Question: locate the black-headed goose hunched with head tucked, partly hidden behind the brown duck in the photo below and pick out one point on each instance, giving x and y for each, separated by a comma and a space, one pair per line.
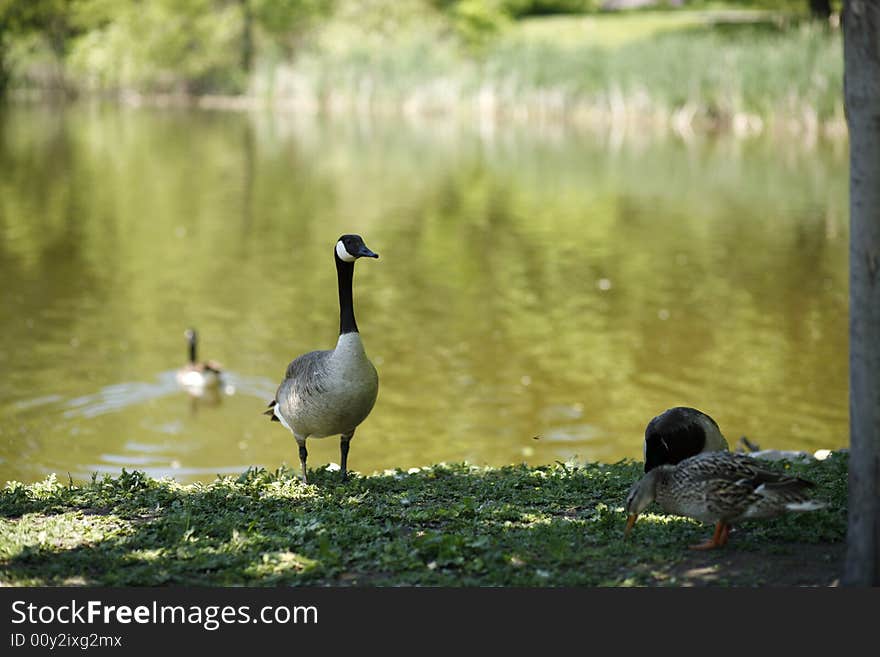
678, 433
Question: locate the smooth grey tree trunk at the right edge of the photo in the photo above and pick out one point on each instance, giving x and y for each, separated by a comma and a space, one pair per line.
862, 98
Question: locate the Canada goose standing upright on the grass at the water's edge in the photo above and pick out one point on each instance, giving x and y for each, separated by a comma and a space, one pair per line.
330, 392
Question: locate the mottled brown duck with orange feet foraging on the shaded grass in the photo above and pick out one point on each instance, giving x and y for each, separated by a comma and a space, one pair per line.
719, 487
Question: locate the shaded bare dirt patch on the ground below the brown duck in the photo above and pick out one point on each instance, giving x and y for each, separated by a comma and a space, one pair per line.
799, 564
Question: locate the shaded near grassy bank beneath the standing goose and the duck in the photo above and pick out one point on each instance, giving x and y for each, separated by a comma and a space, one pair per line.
452, 525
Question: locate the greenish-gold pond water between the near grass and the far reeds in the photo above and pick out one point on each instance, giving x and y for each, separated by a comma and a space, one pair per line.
541, 294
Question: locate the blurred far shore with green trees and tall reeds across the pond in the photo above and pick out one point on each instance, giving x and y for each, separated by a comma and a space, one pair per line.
715, 60
